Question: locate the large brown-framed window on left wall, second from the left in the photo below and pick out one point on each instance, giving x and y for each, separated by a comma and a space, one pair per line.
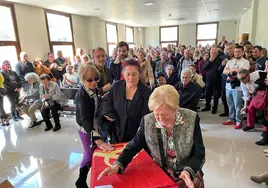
60, 33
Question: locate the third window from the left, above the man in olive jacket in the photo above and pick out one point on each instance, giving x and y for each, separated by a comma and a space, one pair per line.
111, 35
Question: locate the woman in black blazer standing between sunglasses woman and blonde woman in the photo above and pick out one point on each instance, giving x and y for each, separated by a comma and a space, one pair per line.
127, 102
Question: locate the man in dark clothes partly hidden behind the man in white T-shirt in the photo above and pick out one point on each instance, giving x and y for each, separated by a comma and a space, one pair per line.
229, 54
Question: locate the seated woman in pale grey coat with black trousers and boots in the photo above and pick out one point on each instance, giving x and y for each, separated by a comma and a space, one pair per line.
50, 92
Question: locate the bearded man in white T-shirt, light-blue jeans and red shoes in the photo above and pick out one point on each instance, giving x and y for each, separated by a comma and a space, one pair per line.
233, 90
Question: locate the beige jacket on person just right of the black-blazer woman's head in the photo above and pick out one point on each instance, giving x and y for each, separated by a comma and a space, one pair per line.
147, 75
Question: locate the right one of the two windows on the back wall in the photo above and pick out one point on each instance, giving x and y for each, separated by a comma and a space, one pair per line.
207, 33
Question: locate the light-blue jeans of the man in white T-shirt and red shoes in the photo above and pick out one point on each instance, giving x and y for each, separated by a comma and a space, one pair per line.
235, 103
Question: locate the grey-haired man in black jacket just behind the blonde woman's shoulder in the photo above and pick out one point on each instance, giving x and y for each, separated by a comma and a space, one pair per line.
188, 91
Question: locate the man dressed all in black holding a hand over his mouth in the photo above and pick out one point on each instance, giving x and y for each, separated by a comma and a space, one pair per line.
213, 80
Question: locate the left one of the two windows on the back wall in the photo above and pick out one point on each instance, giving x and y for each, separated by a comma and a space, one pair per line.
168, 35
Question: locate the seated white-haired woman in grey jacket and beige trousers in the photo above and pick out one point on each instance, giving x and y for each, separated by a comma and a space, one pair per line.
31, 102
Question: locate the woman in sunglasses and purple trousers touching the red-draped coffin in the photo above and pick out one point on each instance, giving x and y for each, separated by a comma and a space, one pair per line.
86, 101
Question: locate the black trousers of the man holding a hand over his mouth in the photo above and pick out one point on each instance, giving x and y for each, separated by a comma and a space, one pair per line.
213, 89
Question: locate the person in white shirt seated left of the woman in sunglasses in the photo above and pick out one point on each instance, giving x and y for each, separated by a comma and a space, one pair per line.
70, 79
